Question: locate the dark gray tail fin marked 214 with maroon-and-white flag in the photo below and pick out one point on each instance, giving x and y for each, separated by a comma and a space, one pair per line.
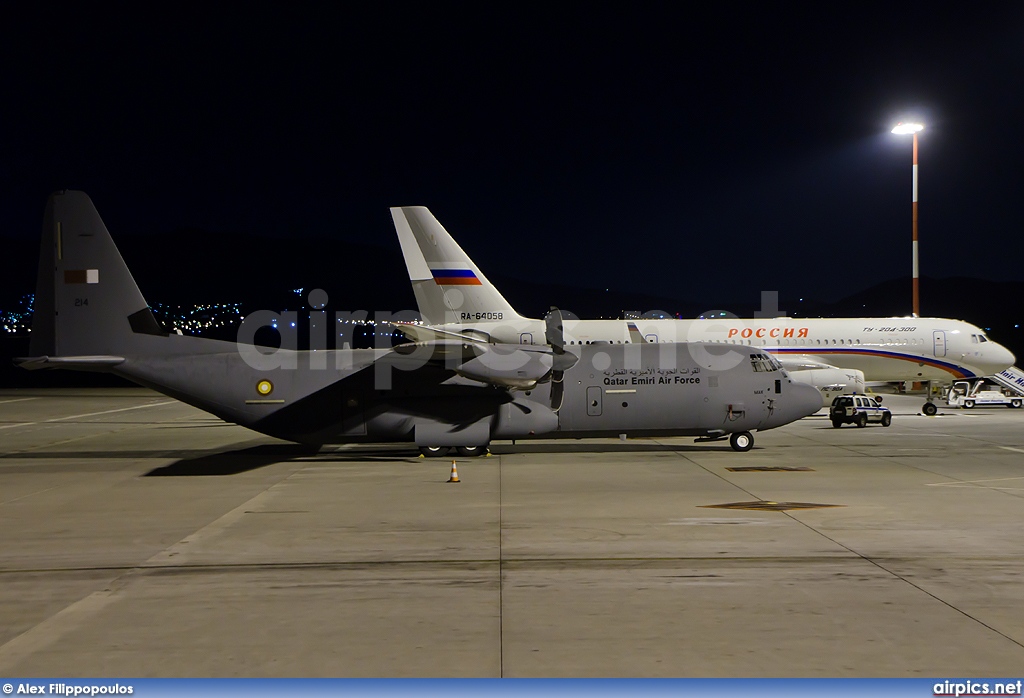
87, 301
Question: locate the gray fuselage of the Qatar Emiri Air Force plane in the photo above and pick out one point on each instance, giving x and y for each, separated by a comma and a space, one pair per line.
379, 396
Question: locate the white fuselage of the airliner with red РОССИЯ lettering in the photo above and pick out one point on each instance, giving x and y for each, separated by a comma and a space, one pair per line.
884, 350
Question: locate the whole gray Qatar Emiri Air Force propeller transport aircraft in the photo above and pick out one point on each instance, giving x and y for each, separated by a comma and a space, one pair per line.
91, 316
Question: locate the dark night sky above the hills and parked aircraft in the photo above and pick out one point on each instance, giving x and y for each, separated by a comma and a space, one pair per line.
693, 154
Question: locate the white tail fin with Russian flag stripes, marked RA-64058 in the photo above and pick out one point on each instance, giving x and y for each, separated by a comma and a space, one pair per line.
448, 285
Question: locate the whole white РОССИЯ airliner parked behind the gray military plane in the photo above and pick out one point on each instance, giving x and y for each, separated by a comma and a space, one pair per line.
835, 356
